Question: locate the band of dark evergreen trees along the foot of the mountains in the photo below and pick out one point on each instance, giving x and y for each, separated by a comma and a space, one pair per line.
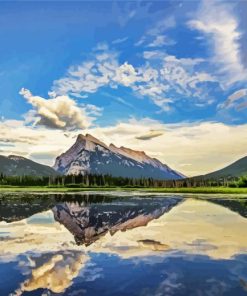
92, 180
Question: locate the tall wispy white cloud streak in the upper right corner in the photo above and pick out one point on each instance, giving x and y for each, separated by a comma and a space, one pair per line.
216, 20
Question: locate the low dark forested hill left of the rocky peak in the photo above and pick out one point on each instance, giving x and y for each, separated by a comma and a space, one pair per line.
13, 165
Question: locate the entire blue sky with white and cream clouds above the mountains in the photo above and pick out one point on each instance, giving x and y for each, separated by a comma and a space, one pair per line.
166, 77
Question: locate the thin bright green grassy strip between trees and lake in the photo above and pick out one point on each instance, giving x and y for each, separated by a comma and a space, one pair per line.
203, 190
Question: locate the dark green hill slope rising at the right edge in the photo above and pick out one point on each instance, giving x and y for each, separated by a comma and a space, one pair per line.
236, 169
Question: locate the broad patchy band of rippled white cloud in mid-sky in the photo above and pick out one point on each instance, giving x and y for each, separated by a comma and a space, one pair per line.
159, 74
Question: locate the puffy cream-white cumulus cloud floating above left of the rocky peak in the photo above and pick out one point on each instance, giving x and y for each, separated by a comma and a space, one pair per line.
58, 112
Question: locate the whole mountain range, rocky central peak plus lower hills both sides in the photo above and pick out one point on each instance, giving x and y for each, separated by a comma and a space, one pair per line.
90, 155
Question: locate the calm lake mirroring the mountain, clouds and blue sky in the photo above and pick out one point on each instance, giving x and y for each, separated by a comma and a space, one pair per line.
122, 245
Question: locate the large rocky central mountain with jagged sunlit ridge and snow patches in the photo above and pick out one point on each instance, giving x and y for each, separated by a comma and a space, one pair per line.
90, 155
